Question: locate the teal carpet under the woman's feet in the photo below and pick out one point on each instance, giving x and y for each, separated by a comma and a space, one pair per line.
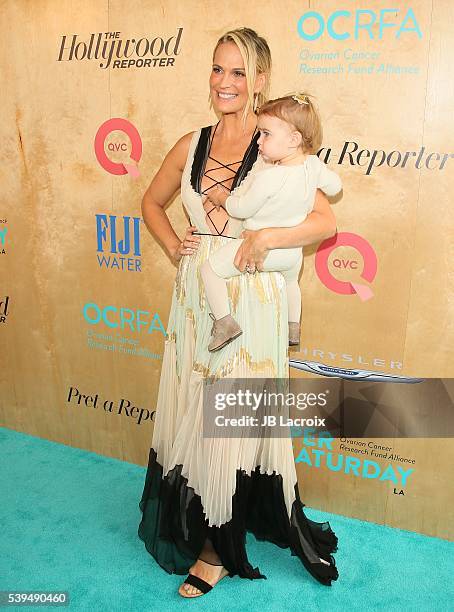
69, 522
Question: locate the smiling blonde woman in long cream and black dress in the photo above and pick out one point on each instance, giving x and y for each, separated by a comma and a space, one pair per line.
202, 494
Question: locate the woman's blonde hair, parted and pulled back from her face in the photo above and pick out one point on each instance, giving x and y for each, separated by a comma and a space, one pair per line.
256, 56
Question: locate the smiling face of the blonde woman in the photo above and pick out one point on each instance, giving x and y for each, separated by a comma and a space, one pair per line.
228, 87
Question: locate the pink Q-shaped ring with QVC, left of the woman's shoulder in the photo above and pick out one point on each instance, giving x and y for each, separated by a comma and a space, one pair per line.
136, 147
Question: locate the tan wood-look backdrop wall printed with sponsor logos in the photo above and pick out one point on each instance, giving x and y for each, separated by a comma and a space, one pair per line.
95, 94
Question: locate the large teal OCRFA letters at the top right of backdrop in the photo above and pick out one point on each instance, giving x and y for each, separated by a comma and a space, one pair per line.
342, 25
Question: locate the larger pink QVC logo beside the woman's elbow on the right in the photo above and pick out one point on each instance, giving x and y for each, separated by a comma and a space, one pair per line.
331, 270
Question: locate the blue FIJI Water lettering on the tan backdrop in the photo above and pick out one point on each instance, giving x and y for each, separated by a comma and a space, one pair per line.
120, 238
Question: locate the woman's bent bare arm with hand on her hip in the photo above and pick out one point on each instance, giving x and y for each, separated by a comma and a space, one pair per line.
165, 184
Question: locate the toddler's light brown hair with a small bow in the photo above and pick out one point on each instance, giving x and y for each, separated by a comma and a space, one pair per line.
298, 110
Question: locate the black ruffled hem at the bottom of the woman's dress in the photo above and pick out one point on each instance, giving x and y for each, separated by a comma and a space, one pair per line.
174, 527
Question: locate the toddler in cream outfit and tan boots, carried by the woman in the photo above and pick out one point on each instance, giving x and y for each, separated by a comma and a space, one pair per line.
280, 195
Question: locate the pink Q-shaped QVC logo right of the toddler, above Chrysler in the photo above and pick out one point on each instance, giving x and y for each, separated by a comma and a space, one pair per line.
369, 266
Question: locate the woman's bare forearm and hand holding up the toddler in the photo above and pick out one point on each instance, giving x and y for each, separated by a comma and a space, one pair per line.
318, 225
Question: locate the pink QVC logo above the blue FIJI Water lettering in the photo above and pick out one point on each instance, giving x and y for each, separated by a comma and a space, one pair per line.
122, 141
